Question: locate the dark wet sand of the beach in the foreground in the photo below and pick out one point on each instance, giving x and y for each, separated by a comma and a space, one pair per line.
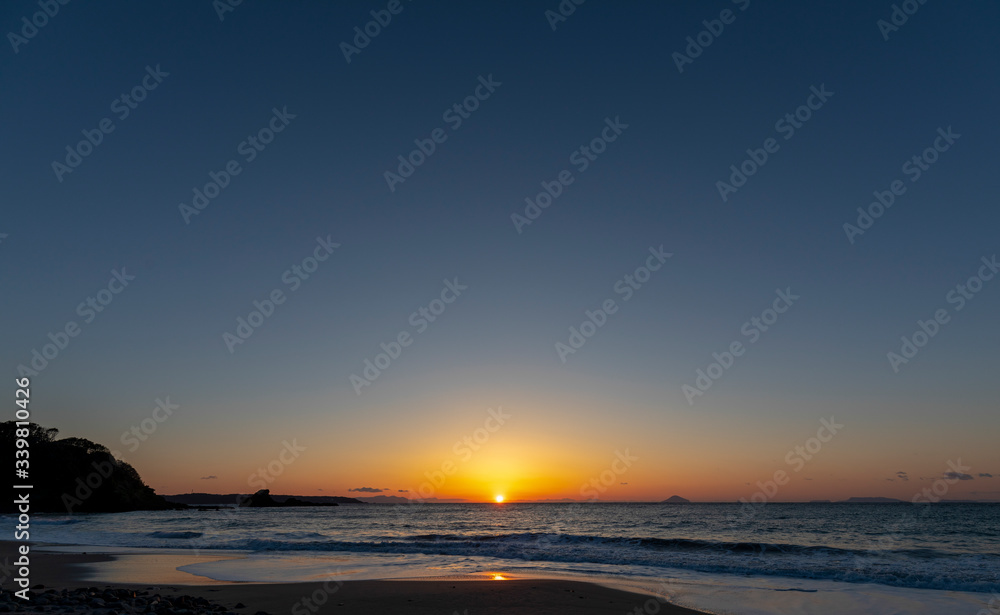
440, 597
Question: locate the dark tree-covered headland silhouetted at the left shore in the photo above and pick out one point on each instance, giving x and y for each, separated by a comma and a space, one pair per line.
75, 475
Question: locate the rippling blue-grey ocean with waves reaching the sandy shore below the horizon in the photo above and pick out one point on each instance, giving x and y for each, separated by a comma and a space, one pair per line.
941, 557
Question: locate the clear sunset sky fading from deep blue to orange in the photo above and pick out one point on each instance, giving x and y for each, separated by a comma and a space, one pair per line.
666, 324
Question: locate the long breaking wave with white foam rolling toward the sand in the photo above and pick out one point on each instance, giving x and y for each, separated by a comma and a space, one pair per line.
912, 568
